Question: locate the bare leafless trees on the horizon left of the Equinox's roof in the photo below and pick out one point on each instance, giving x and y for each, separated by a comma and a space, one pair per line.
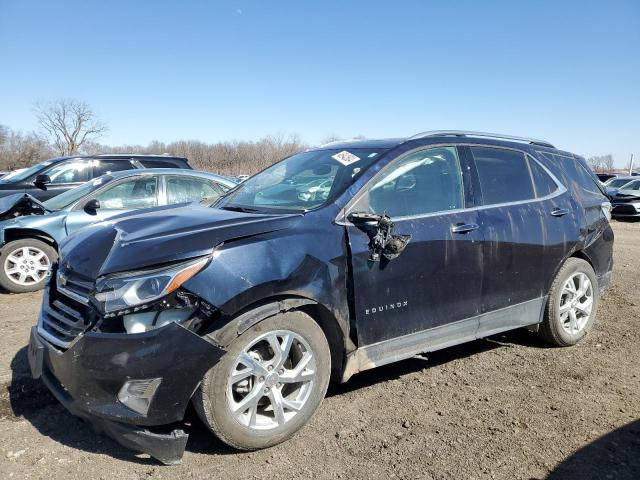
69, 127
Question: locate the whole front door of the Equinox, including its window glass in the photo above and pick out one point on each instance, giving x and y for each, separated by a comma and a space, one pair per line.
437, 279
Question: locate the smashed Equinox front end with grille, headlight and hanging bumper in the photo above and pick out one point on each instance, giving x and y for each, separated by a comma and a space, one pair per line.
125, 355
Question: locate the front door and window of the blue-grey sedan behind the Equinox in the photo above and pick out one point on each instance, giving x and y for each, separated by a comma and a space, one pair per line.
126, 195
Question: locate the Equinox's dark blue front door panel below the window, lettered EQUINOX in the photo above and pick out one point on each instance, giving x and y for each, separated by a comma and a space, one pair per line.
435, 280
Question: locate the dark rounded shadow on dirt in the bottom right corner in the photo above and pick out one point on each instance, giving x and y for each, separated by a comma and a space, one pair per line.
614, 455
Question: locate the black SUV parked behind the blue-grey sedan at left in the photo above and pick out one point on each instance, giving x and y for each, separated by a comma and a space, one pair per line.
57, 175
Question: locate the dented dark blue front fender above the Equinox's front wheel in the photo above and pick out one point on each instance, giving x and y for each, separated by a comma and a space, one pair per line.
305, 263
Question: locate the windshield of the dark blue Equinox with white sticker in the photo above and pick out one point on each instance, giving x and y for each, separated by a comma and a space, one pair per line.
303, 182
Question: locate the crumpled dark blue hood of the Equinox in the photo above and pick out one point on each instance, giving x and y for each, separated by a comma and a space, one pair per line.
162, 235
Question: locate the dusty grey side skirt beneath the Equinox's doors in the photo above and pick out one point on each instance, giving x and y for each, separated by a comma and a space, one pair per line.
407, 346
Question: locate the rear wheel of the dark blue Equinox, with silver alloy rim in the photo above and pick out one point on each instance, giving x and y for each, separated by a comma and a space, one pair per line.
557, 327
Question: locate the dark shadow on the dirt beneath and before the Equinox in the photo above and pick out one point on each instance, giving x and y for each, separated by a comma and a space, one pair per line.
30, 399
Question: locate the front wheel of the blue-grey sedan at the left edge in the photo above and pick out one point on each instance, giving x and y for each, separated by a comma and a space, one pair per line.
38, 257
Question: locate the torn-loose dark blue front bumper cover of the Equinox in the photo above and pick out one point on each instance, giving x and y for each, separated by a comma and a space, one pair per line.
87, 377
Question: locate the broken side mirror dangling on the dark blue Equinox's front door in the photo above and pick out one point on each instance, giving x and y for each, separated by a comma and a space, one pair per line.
383, 242
